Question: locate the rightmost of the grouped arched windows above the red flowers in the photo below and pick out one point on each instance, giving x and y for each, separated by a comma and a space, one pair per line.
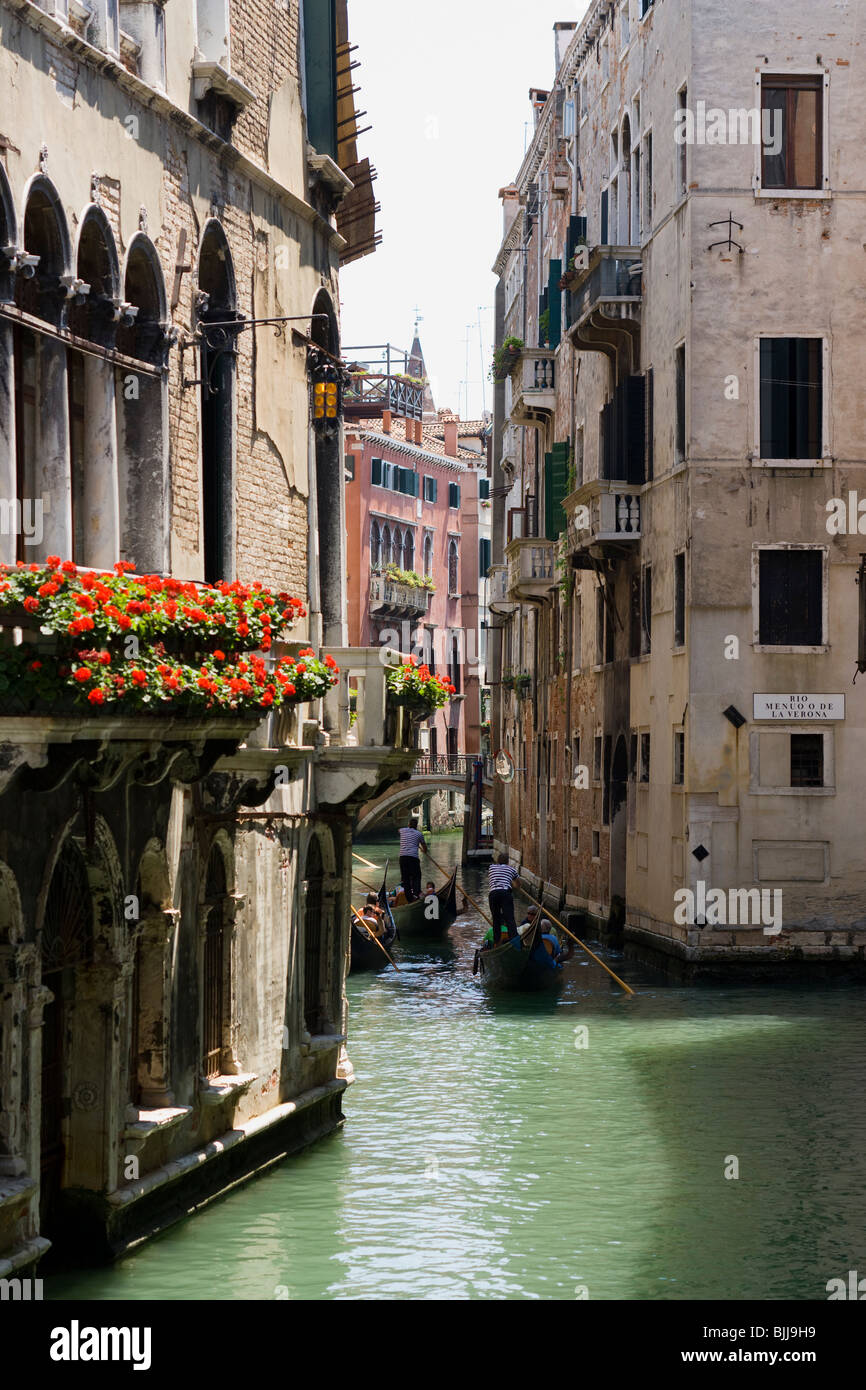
142, 414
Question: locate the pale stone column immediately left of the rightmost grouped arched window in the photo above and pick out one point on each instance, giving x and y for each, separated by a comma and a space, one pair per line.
101, 490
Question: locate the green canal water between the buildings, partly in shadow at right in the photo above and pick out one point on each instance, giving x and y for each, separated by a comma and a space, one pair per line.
487, 1156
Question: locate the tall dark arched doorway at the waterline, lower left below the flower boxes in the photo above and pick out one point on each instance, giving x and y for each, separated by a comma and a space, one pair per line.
67, 946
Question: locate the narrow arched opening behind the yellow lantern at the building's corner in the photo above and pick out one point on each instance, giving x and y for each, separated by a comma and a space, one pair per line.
330, 505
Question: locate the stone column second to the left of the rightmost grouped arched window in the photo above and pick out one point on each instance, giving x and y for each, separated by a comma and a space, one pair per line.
52, 479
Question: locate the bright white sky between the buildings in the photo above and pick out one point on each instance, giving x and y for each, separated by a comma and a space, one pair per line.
447, 94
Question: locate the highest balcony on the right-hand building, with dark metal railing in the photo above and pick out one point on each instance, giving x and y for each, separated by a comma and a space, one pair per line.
605, 304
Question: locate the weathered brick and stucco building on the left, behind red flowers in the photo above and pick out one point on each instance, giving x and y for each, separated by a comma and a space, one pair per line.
174, 893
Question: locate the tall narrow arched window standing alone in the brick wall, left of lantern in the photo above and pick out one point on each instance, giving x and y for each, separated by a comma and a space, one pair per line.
218, 301
